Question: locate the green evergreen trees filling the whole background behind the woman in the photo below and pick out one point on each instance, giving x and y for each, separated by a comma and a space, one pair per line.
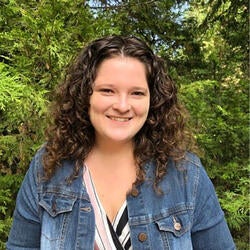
204, 43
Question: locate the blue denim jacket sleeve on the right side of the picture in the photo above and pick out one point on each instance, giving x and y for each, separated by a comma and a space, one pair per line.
210, 230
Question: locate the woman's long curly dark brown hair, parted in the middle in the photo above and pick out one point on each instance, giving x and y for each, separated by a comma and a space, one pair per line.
71, 134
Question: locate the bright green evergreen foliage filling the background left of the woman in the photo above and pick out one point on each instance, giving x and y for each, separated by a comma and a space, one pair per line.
37, 40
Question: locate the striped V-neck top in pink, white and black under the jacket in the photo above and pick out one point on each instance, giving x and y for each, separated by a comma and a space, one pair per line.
108, 235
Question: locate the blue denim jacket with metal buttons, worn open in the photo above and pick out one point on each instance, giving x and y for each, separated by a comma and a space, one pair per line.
55, 215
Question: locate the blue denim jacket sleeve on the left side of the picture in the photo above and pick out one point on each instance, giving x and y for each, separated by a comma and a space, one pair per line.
25, 231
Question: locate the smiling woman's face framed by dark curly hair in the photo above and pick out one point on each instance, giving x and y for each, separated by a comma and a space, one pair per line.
120, 101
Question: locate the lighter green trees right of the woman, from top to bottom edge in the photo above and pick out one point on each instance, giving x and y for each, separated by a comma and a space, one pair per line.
218, 100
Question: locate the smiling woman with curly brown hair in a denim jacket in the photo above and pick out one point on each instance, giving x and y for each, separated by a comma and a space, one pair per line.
114, 173
